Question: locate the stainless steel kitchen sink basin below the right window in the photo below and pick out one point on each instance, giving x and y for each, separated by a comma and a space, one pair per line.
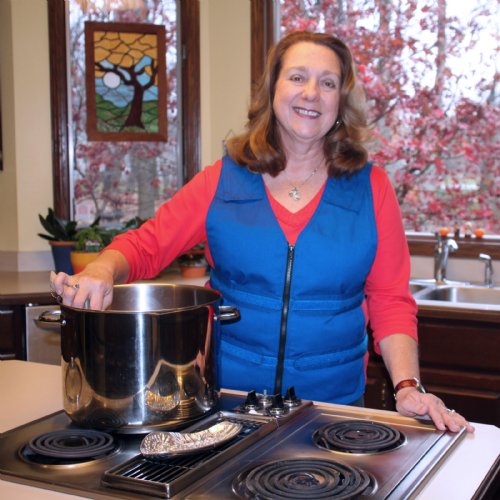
462, 294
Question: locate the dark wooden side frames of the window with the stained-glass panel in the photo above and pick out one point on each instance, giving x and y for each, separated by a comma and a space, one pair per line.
189, 58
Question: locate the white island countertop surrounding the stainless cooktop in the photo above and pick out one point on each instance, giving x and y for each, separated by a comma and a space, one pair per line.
31, 390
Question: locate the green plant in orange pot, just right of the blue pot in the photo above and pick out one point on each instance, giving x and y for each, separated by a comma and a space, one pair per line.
89, 241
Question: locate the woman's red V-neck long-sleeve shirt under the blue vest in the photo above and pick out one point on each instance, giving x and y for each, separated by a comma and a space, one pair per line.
180, 224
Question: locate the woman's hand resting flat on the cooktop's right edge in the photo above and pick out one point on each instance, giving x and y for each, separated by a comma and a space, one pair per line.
413, 403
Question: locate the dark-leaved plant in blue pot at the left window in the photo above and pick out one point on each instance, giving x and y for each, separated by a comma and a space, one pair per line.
61, 236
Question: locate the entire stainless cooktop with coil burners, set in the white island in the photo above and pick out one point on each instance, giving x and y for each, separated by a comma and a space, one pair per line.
293, 452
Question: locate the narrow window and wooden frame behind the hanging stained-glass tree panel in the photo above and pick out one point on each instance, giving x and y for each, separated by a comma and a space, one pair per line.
118, 180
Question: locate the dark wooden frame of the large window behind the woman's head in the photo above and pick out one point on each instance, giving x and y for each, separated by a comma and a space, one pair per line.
262, 29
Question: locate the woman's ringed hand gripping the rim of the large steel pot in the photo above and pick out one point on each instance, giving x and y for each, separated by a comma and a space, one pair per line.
93, 287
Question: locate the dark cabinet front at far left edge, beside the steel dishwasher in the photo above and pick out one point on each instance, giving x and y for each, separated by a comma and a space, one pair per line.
11, 332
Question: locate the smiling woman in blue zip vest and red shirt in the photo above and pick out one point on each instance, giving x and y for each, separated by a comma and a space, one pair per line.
303, 235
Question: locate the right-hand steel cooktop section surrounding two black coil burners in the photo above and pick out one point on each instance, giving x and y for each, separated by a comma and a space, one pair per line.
399, 473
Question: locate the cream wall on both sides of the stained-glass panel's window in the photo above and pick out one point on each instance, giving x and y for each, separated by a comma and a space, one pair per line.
26, 181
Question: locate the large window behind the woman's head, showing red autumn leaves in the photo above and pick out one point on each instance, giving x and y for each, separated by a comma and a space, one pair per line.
435, 117
